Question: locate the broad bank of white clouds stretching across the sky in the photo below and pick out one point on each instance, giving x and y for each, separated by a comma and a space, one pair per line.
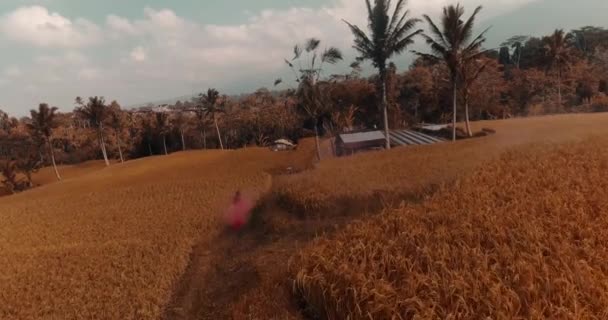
162, 54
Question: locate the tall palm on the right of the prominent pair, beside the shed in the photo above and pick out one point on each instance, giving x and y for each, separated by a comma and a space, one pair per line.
453, 45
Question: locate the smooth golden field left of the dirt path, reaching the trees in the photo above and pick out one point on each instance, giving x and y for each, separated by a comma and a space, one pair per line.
112, 243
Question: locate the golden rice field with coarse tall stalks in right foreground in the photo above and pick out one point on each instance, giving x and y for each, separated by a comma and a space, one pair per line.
525, 237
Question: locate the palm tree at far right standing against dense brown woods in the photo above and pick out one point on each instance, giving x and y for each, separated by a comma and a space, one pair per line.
559, 57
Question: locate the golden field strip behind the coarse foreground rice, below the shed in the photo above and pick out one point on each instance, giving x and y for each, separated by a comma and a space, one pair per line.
410, 172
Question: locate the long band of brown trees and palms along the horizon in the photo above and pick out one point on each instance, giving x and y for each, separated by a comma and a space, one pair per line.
455, 79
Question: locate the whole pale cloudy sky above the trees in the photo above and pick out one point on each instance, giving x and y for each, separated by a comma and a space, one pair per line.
140, 51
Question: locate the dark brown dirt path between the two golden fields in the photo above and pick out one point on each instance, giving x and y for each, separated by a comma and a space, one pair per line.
223, 277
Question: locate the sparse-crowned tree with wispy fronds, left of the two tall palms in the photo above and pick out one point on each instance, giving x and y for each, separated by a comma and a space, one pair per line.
311, 93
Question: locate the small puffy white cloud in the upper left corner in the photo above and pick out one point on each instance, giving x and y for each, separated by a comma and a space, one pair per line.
35, 25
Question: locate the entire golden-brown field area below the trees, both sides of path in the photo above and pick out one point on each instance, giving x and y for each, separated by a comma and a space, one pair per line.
115, 243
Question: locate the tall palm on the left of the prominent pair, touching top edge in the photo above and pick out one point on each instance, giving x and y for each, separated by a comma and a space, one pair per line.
390, 35
